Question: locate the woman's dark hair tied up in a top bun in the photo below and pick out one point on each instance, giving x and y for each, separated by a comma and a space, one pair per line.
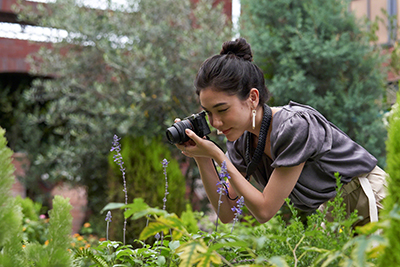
232, 72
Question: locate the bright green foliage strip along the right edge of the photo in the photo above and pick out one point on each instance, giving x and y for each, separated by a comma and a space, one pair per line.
391, 257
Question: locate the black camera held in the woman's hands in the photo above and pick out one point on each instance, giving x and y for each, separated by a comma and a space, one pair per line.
196, 122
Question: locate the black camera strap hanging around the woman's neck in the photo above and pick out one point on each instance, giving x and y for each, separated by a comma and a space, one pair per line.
255, 160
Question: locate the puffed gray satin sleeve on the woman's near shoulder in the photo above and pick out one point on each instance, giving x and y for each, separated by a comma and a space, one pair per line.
299, 137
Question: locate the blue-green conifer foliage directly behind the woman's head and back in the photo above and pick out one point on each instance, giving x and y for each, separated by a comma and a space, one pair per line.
314, 52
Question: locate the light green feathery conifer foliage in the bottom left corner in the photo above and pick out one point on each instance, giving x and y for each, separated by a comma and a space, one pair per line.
14, 250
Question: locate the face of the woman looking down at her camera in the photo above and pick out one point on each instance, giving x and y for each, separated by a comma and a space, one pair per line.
226, 113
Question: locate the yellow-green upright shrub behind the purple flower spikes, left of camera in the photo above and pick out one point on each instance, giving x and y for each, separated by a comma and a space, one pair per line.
143, 158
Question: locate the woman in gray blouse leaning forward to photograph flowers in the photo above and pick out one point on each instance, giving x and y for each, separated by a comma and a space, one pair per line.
292, 151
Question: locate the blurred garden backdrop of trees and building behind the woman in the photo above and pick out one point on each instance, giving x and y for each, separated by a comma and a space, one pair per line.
75, 73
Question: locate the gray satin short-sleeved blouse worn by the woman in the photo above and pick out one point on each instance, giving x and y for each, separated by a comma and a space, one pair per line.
301, 134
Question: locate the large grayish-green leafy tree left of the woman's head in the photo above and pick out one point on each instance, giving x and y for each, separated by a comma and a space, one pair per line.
117, 70
